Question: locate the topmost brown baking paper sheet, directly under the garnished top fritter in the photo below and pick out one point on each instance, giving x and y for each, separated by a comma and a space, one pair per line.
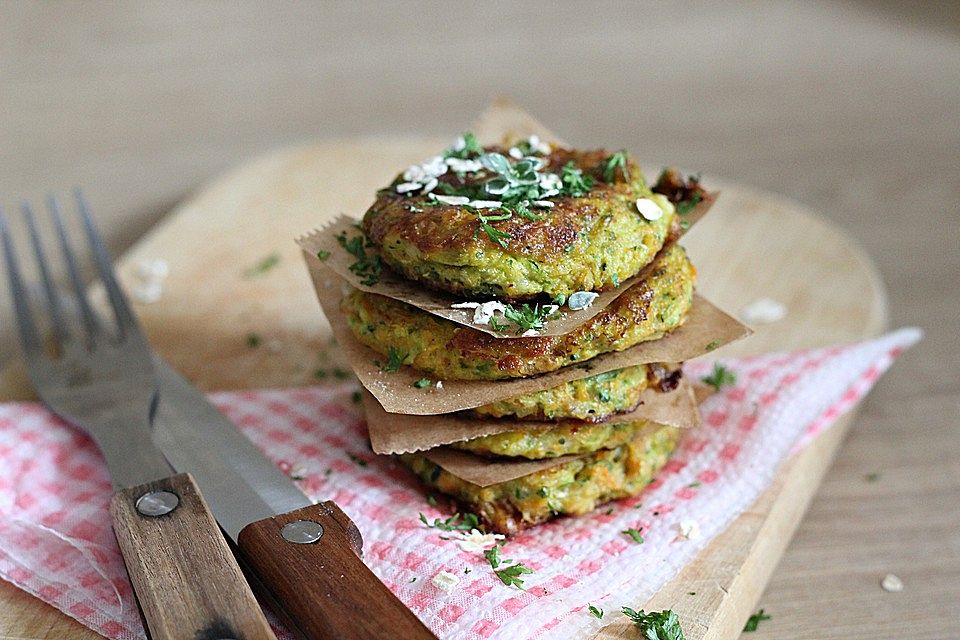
393, 285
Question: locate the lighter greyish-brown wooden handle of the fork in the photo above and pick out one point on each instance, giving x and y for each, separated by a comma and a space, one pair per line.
186, 579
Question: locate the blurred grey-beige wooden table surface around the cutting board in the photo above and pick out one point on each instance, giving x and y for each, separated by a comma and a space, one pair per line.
849, 107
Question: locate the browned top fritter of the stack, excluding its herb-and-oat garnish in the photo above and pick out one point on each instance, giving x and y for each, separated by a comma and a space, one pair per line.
588, 243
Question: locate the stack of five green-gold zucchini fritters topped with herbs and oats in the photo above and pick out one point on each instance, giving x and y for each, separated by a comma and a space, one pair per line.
535, 228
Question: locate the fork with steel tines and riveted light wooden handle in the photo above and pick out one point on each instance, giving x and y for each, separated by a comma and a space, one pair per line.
101, 379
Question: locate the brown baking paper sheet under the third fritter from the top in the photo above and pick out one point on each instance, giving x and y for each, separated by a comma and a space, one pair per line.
392, 433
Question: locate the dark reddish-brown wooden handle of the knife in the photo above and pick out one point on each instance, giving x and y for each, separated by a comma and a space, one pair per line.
323, 586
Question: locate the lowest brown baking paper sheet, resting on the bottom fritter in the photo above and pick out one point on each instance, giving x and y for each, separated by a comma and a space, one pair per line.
484, 472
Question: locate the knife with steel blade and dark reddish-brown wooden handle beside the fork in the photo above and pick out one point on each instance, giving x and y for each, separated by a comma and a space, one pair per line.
306, 557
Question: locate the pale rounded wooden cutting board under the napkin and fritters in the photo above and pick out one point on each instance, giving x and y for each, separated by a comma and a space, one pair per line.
752, 245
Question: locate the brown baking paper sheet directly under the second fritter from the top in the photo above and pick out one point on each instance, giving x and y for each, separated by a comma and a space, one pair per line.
706, 328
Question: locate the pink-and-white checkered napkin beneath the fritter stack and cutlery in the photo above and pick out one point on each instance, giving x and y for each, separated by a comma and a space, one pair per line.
56, 541
